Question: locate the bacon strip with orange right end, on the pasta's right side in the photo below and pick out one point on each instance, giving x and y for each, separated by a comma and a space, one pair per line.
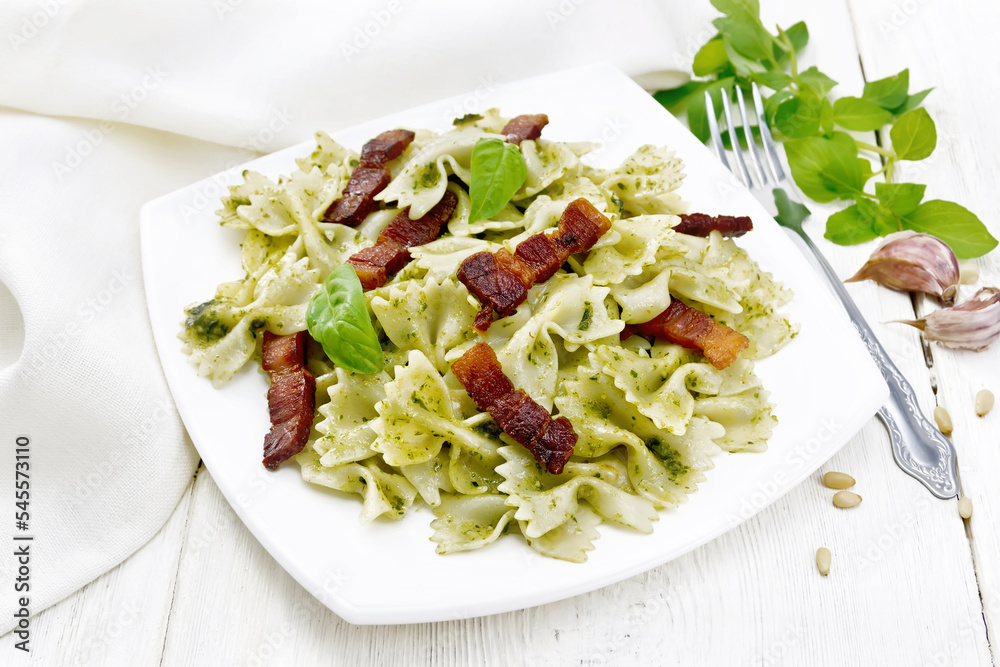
683, 325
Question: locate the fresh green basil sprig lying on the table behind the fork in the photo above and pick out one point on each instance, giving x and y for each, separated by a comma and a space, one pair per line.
823, 159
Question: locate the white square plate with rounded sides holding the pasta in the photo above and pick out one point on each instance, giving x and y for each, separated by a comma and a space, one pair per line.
824, 384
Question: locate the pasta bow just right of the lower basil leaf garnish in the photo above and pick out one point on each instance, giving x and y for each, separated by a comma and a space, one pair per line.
426, 316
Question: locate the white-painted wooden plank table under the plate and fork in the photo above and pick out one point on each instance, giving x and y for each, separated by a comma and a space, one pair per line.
912, 584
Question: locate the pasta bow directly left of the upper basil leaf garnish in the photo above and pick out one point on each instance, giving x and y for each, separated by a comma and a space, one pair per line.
422, 182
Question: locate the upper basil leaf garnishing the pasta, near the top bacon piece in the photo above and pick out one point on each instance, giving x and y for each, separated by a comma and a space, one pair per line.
498, 171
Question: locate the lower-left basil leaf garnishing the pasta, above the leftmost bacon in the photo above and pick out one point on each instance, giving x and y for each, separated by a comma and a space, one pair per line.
338, 318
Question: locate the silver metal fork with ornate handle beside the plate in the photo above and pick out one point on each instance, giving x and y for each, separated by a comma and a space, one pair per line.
917, 446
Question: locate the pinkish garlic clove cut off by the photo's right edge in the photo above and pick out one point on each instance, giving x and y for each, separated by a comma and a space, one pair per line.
972, 325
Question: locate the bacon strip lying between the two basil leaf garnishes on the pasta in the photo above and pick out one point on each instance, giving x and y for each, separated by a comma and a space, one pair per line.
375, 265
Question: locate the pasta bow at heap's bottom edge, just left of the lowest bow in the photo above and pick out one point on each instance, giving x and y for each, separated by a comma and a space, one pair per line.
469, 522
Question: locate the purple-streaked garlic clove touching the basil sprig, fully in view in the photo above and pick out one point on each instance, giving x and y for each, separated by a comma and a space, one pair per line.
913, 262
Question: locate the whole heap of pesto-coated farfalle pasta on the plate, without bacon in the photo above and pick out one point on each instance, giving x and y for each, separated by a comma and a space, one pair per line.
649, 415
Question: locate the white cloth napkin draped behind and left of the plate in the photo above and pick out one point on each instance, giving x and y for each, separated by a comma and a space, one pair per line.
79, 375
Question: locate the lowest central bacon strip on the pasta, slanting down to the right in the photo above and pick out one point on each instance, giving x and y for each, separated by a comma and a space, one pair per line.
549, 440
